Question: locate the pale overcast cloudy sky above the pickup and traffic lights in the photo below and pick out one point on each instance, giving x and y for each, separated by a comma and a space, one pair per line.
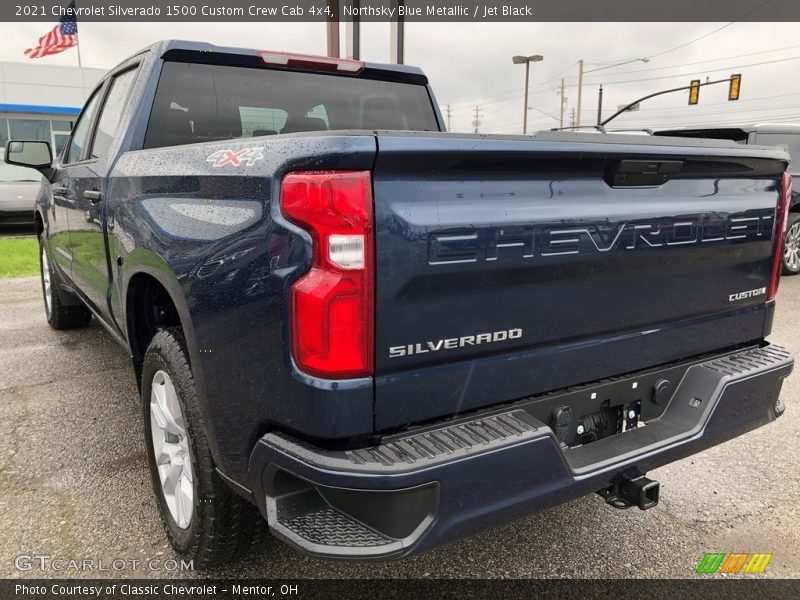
470, 64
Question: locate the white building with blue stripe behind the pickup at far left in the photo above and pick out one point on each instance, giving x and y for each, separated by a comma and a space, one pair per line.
41, 102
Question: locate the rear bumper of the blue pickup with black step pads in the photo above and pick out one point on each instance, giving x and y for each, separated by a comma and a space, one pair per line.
422, 487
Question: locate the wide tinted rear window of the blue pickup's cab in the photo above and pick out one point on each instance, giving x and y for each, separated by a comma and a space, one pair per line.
203, 102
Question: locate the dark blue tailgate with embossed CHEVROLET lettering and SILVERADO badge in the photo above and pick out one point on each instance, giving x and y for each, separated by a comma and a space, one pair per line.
507, 267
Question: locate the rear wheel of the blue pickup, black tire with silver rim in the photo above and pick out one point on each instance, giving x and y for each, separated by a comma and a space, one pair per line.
205, 521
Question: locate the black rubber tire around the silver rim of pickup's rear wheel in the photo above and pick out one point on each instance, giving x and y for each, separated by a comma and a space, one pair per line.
223, 525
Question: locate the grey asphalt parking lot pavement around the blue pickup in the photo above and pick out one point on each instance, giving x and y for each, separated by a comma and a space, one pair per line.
75, 484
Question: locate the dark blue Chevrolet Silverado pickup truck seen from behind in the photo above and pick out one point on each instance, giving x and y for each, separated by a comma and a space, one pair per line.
374, 337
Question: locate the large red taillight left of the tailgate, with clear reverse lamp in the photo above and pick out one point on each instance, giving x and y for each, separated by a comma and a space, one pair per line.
332, 313
